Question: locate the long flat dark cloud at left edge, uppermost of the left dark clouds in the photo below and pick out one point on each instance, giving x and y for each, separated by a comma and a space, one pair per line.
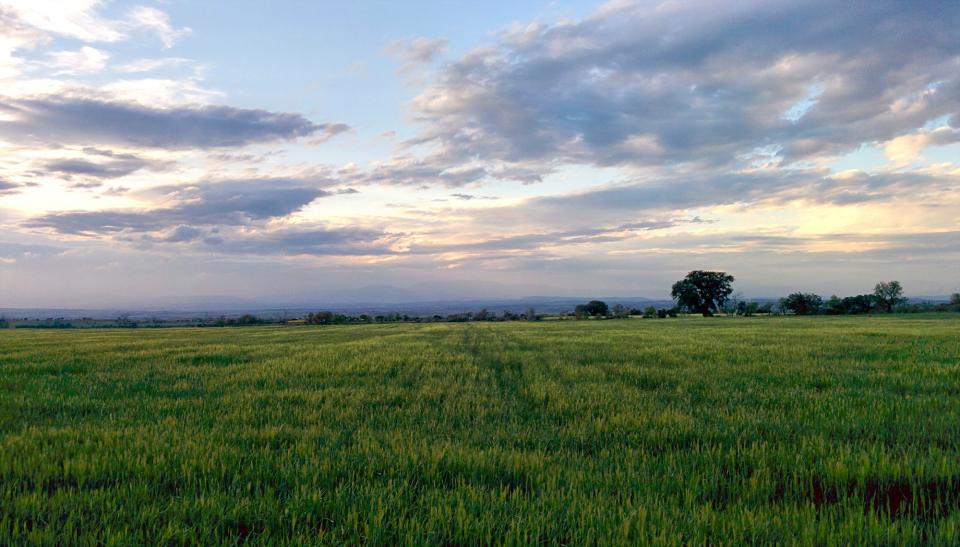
100, 121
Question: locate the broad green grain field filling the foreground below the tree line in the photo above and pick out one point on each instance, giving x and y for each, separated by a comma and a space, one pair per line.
750, 430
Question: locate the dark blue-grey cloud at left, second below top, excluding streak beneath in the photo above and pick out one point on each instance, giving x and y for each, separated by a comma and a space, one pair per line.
229, 203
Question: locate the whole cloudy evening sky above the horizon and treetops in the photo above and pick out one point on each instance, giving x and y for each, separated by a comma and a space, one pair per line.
310, 150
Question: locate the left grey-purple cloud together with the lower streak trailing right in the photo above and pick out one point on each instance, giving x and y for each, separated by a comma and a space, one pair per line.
226, 217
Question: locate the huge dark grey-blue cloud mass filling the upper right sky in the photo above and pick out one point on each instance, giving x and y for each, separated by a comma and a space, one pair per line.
702, 82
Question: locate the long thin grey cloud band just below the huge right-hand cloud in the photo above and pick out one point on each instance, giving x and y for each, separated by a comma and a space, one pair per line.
678, 195
